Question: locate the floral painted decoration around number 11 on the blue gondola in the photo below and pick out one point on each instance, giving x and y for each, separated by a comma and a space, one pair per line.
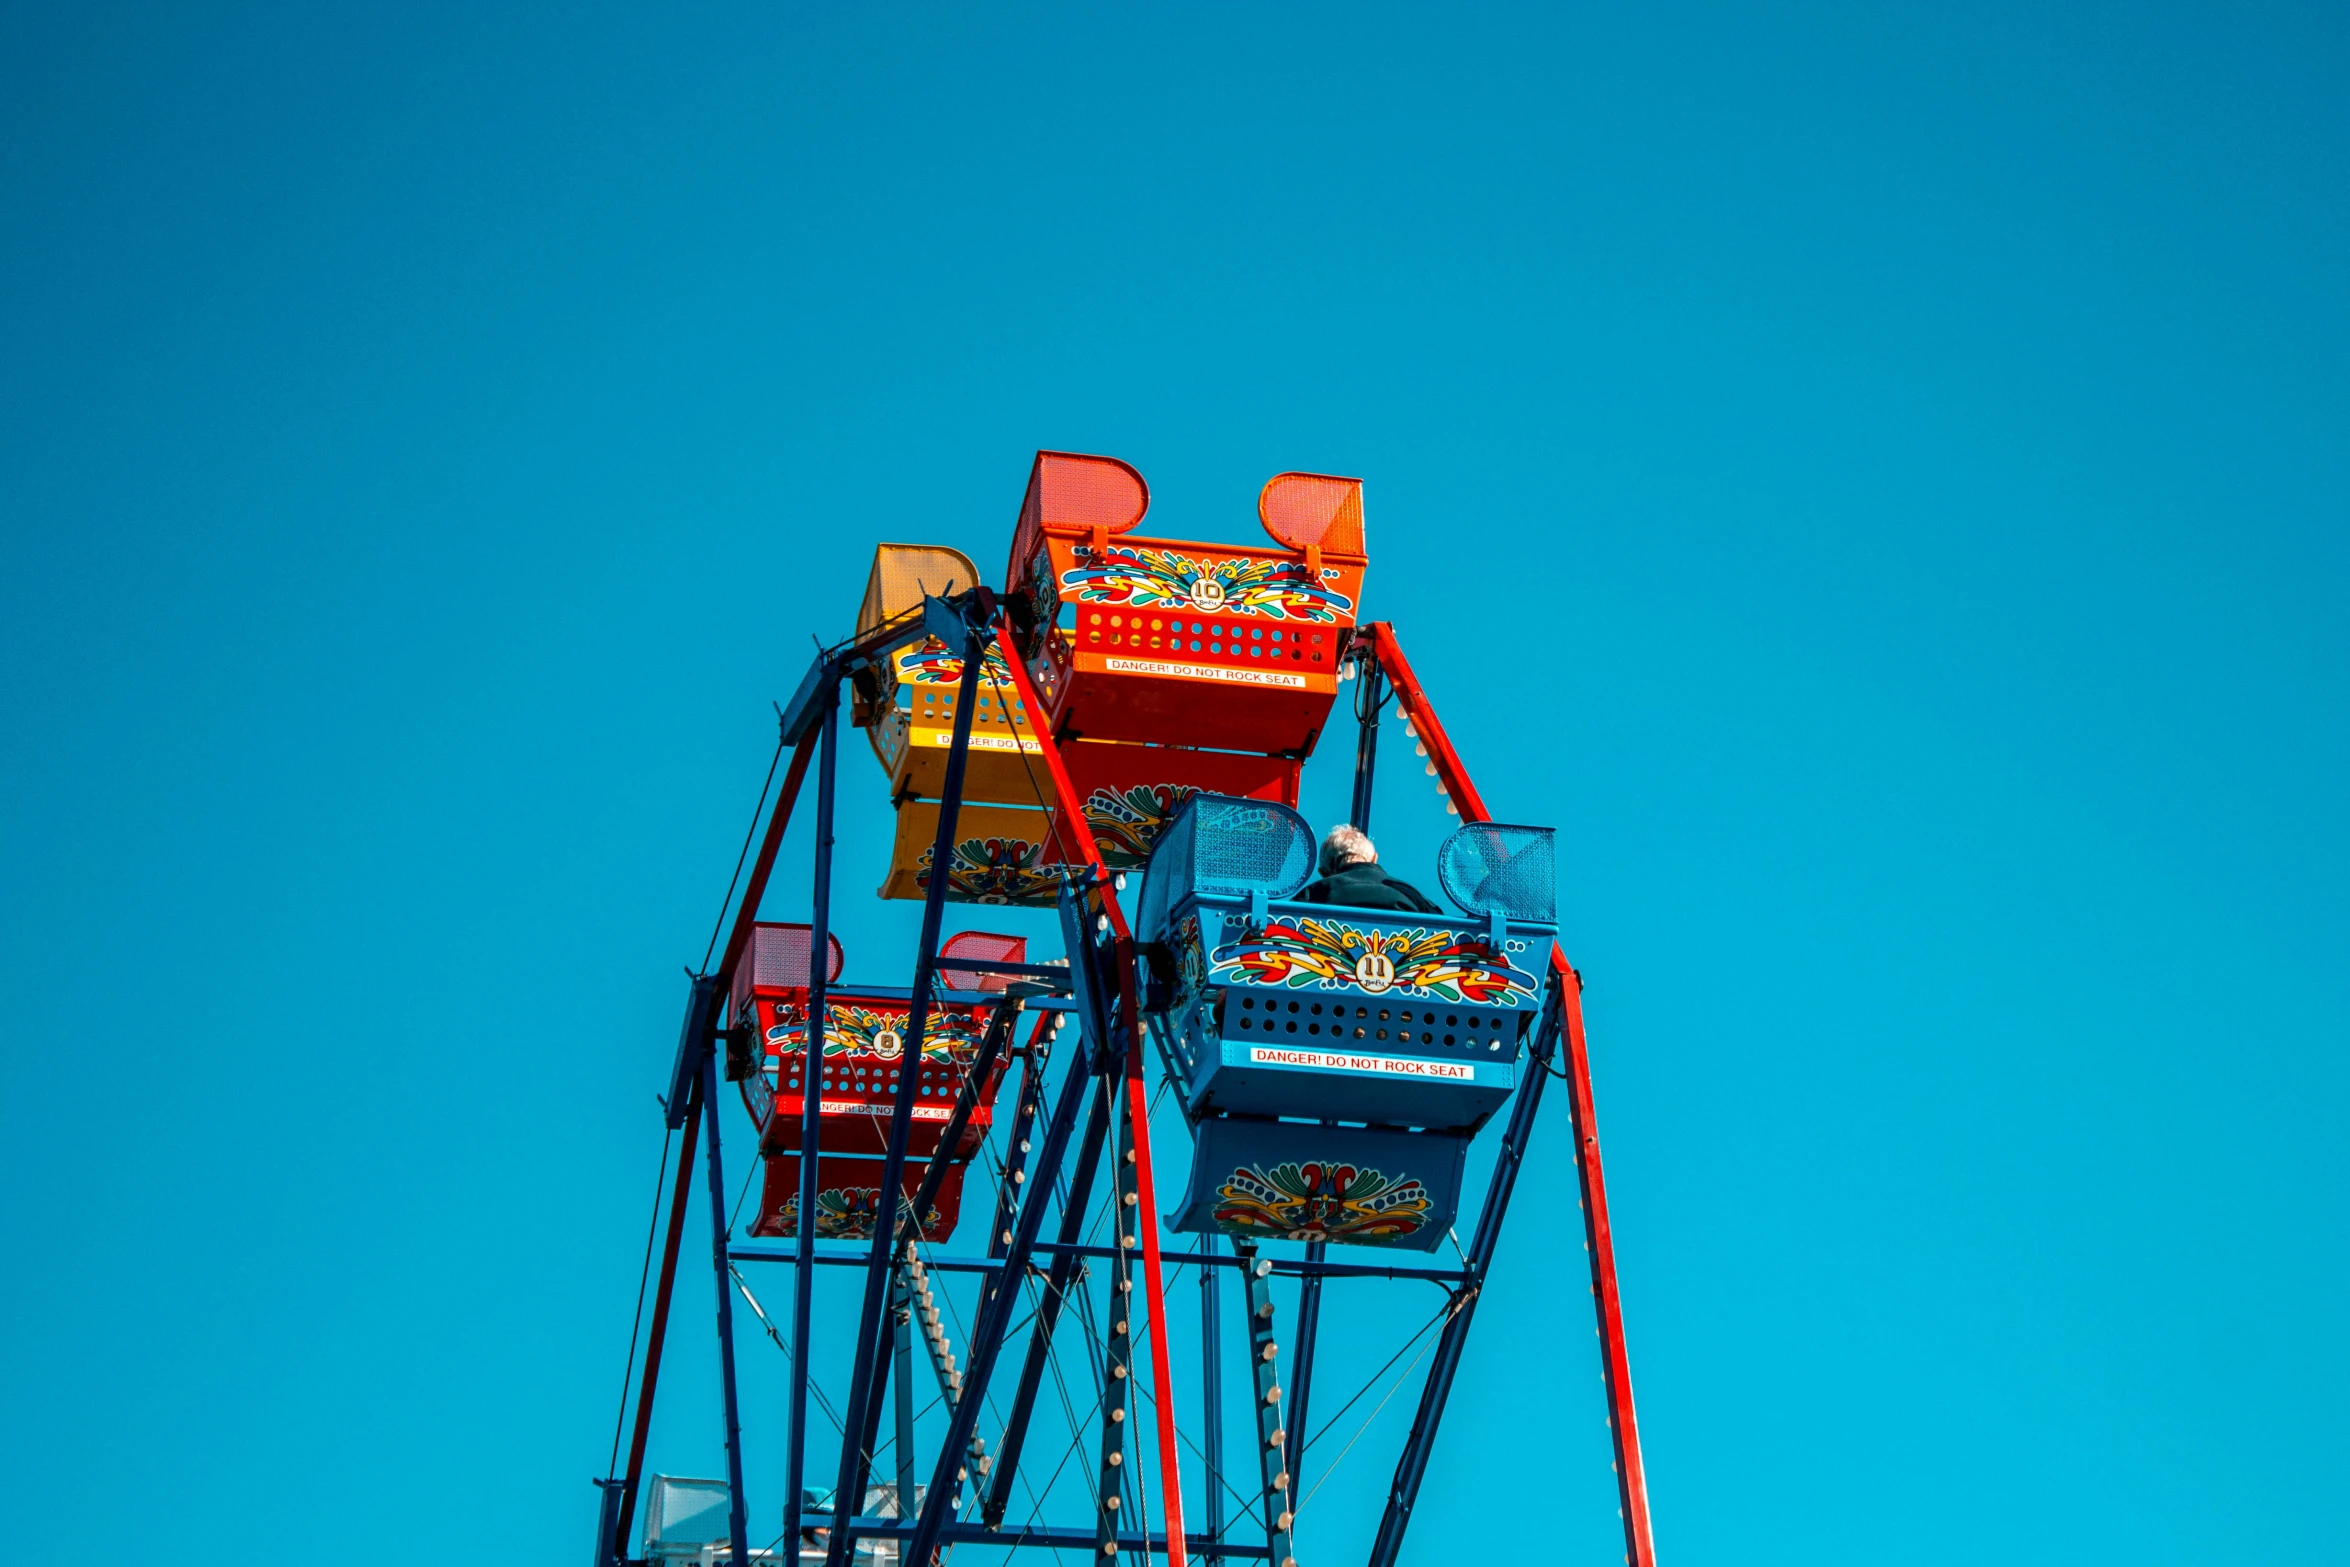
1336, 955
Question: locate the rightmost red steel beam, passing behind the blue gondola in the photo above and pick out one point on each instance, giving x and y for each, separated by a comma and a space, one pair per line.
1599, 1242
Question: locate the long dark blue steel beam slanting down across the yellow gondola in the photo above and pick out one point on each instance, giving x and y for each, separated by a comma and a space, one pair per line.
864, 1408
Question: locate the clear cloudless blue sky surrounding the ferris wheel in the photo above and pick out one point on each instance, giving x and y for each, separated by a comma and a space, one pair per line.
1872, 476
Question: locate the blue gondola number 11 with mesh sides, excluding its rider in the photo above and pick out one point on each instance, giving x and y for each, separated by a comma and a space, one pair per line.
1334, 1061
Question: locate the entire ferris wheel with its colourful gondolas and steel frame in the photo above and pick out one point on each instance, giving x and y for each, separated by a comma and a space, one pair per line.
1324, 1049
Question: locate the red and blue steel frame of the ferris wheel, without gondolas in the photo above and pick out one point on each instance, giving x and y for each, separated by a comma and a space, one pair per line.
1096, 1108
